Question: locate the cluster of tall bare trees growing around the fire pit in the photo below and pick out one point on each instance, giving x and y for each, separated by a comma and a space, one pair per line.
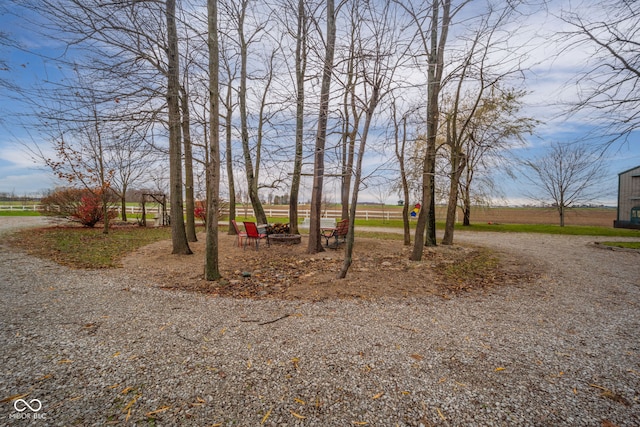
286, 84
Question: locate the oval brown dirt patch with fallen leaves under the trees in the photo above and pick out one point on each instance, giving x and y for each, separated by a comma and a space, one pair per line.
380, 268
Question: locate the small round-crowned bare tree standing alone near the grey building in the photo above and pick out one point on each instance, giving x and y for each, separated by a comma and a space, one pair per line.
567, 175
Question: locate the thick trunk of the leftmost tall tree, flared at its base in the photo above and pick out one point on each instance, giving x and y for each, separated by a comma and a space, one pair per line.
178, 234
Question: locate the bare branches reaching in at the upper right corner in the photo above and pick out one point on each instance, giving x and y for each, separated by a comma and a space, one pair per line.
607, 88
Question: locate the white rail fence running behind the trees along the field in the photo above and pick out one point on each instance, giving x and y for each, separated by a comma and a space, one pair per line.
248, 212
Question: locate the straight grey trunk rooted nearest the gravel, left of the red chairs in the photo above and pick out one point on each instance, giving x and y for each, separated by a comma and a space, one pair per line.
212, 268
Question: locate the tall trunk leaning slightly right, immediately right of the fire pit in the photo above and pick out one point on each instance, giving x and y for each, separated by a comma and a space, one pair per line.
315, 238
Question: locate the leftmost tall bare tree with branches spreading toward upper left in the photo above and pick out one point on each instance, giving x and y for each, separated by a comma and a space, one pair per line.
135, 45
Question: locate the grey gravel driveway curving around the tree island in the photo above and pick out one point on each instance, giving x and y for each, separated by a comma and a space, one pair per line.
102, 347
